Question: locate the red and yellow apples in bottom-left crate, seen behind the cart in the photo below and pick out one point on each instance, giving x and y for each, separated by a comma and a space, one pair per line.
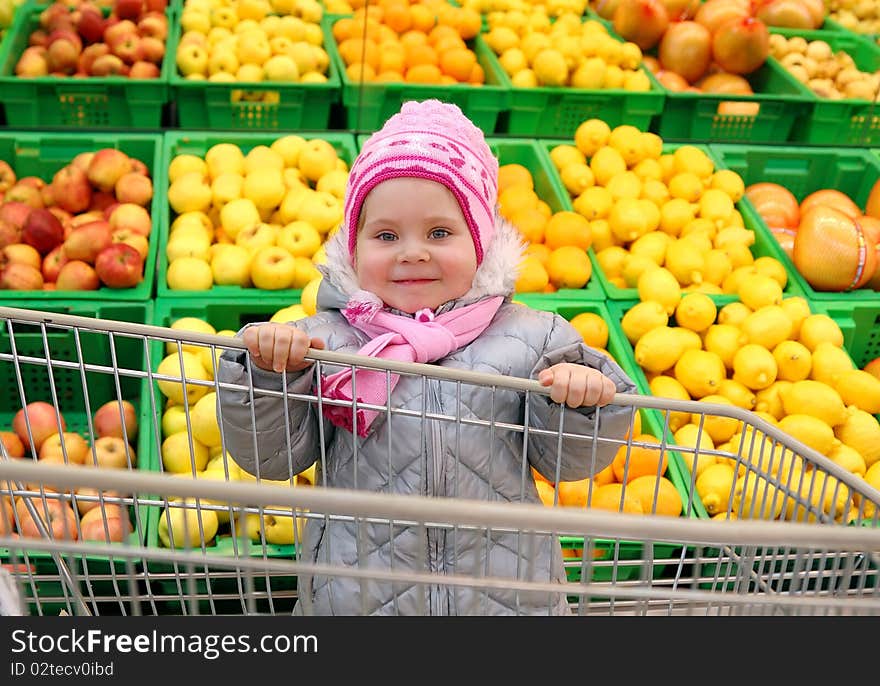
42, 434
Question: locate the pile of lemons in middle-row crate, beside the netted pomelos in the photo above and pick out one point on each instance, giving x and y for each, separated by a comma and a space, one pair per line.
649, 209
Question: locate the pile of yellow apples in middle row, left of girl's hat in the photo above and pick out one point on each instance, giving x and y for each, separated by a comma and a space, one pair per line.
255, 218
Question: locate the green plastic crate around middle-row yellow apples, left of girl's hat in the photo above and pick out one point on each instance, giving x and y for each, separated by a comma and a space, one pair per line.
198, 143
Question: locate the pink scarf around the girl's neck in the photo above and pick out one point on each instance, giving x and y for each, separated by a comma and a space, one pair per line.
422, 338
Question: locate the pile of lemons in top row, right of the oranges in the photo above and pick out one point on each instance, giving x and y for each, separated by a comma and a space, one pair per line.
536, 51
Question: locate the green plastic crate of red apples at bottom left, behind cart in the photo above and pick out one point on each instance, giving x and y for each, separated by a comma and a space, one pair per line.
78, 395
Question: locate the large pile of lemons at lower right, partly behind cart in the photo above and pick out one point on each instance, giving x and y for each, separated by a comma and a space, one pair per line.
772, 355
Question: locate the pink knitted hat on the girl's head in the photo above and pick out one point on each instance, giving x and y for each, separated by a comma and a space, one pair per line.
435, 141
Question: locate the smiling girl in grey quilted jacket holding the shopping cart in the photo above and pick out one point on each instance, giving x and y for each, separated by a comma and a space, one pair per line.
423, 270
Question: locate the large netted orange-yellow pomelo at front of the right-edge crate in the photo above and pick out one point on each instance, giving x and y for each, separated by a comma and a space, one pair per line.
832, 251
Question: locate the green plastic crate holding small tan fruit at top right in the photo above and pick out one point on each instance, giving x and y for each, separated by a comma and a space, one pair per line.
846, 121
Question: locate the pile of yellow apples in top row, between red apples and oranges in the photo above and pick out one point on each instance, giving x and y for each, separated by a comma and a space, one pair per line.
244, 41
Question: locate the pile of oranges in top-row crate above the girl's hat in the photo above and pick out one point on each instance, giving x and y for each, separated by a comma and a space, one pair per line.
418, 42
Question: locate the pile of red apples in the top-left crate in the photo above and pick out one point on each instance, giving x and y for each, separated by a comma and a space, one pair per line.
78, 40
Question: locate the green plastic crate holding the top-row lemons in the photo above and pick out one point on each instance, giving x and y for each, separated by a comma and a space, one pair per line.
557, 112
